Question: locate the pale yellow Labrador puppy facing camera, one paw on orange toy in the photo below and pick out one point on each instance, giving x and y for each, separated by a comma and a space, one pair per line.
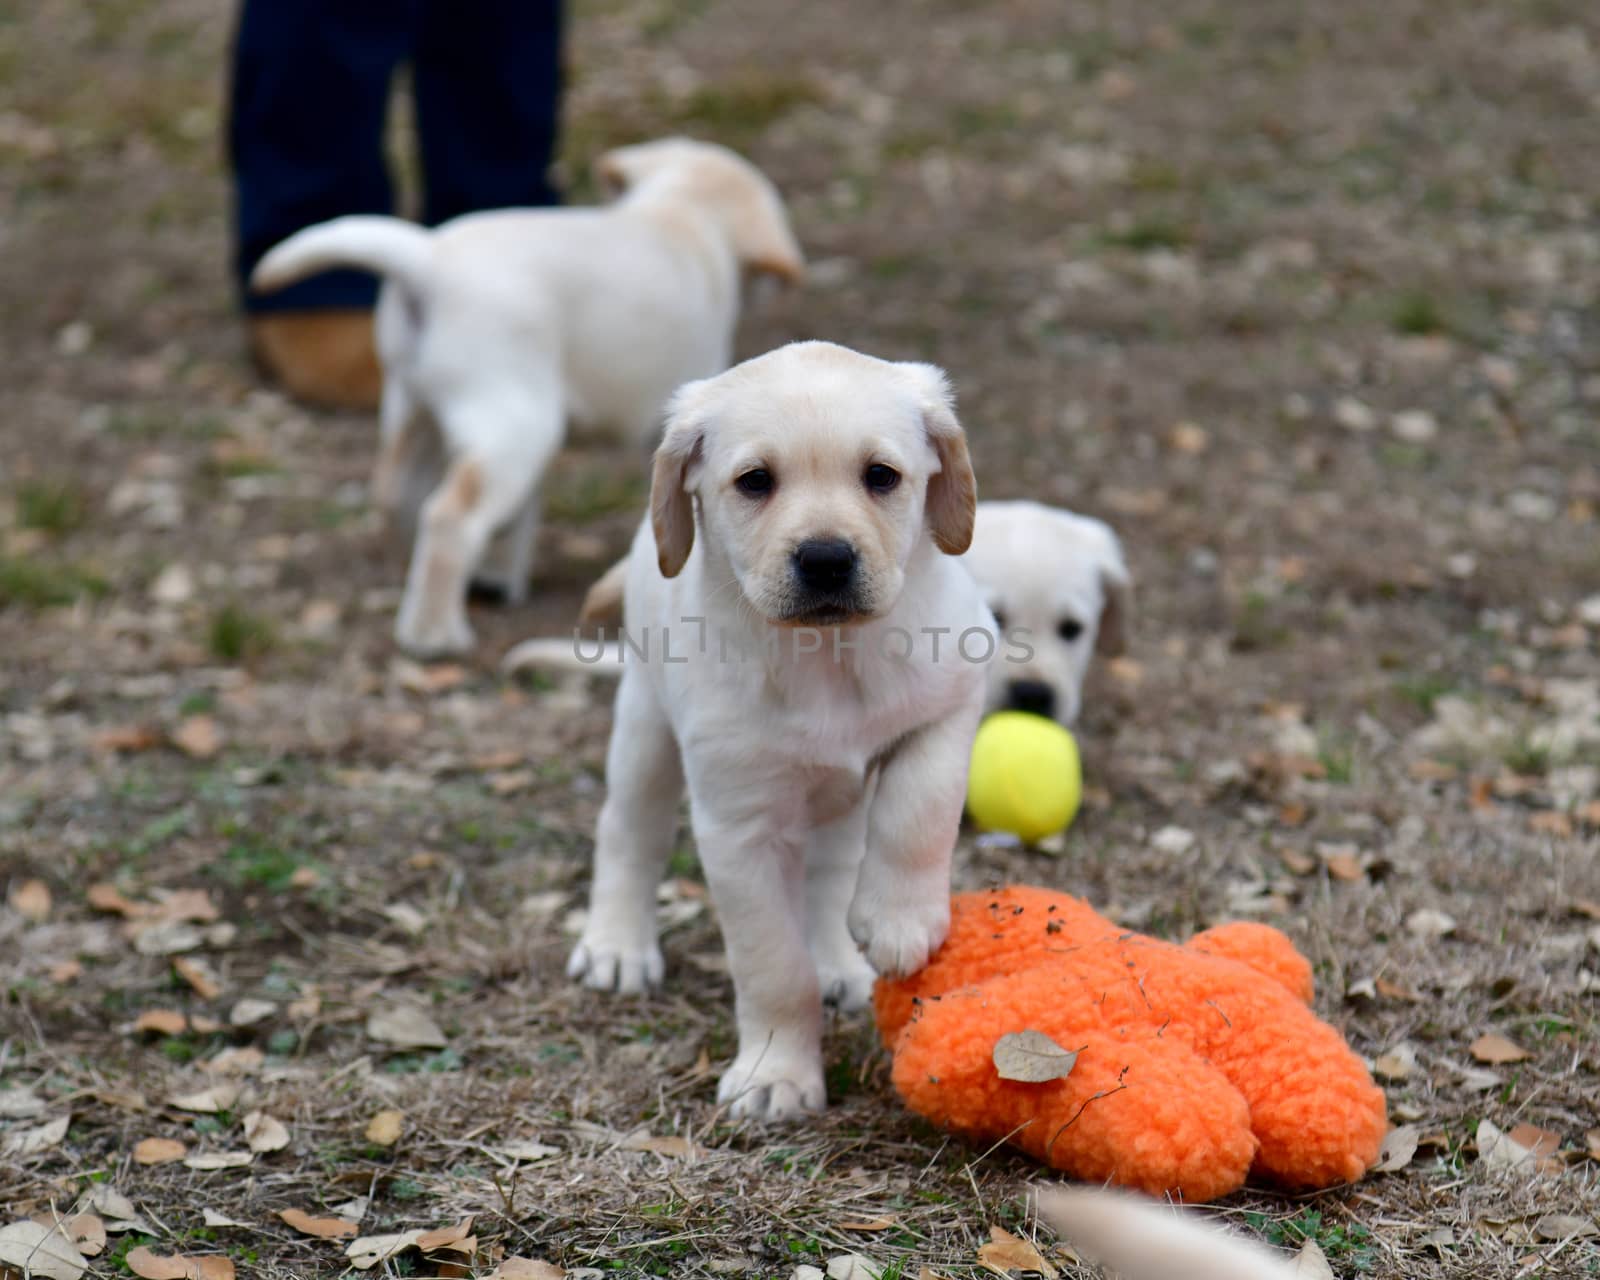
802, 606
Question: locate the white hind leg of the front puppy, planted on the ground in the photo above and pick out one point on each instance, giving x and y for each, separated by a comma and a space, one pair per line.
618, 950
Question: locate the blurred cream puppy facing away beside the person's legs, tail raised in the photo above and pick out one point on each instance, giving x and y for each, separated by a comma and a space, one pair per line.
502, 329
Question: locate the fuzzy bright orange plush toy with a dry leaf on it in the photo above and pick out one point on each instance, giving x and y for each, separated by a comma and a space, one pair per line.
1198, 1065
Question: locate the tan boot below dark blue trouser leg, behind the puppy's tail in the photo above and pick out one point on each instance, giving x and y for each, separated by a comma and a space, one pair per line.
321, 358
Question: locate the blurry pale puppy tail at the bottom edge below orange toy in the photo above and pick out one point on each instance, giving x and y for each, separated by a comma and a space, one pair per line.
1146, 1241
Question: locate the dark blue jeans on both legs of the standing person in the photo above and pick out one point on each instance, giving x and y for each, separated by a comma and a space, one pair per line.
311, 95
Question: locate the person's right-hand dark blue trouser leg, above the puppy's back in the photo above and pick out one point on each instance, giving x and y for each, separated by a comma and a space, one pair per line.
489, 89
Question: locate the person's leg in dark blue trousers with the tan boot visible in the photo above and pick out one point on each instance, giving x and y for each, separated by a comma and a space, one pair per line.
306, 119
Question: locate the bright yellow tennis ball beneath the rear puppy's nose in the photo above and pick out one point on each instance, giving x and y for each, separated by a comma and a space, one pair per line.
1025, 778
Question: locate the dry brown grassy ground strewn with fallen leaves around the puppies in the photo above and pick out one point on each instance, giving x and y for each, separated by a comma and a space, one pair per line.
1300, 298
